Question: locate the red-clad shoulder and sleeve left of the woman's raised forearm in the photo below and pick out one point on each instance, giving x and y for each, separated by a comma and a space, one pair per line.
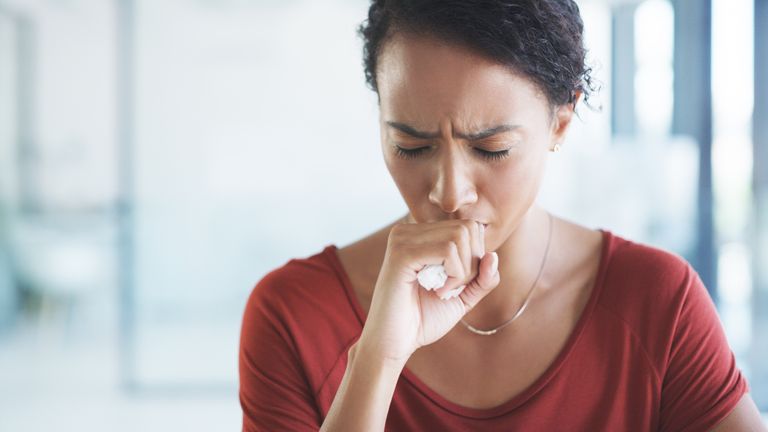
290, 341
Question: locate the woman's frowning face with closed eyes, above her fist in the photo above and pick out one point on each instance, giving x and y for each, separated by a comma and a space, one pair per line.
463, 137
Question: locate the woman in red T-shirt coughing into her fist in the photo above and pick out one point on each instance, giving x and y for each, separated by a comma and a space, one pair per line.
542, 324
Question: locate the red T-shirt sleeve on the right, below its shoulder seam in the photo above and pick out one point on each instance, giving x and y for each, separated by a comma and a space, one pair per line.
701, 384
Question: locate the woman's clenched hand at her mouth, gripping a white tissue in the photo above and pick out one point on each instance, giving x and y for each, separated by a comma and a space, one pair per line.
403, 316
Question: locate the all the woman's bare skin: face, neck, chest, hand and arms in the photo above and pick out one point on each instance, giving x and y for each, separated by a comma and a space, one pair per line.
455, 103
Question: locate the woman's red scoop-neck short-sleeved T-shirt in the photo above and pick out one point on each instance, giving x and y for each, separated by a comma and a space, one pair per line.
648, 353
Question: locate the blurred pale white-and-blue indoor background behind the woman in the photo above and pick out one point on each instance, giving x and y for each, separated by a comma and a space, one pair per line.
157, 158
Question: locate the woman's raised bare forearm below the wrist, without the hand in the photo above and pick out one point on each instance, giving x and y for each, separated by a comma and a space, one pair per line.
365, 393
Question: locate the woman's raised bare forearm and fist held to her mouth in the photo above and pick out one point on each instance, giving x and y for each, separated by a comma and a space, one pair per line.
404, 317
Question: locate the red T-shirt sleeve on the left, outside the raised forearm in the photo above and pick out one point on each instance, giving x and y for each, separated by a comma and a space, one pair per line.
274, 391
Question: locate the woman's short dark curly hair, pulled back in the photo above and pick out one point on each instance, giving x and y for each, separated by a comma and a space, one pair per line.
542, 39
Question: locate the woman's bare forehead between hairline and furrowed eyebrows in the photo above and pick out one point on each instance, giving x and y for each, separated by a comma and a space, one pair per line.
419, 77
